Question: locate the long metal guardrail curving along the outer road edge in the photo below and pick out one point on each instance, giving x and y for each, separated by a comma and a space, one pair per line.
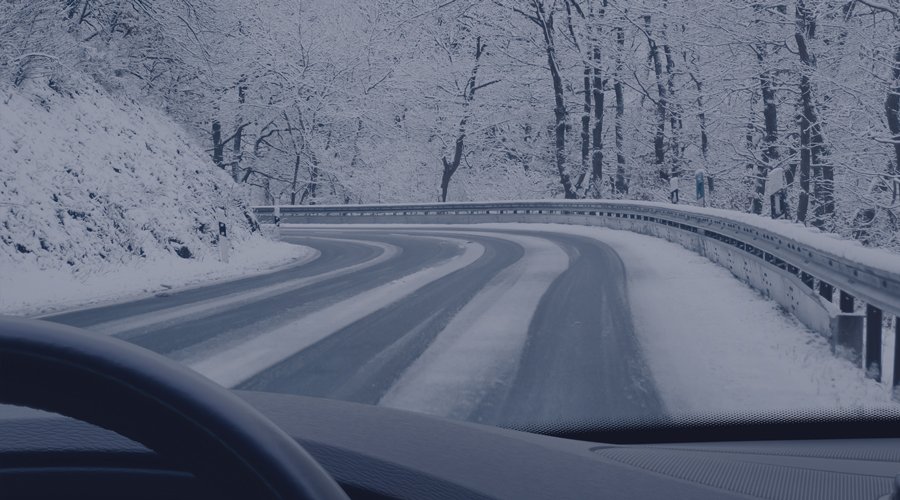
853, 284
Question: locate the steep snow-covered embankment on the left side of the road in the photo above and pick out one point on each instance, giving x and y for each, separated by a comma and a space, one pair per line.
92, 185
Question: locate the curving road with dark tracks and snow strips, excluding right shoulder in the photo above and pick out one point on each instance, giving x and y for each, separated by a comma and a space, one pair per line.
490, 326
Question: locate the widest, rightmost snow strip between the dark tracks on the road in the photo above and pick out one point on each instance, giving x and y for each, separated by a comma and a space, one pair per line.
482, 344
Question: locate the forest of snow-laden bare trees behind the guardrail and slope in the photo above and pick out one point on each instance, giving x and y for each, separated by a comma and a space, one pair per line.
358, 101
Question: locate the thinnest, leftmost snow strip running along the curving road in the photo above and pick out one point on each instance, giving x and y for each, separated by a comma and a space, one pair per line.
159, 318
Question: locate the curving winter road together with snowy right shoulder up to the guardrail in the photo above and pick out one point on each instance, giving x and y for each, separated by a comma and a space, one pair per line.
495, 323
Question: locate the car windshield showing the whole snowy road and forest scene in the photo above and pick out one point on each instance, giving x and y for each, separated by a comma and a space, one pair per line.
516, 212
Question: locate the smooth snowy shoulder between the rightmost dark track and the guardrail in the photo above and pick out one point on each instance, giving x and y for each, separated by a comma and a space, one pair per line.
712, 342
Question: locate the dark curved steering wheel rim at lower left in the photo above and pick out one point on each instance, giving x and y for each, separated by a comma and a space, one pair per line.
195, 423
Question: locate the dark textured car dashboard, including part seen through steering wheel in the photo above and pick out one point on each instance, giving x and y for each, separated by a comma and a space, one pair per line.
376, 452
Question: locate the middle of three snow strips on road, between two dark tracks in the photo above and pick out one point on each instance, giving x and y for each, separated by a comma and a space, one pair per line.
240, 362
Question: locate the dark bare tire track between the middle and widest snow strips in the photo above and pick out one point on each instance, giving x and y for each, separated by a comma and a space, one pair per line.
361, 362
